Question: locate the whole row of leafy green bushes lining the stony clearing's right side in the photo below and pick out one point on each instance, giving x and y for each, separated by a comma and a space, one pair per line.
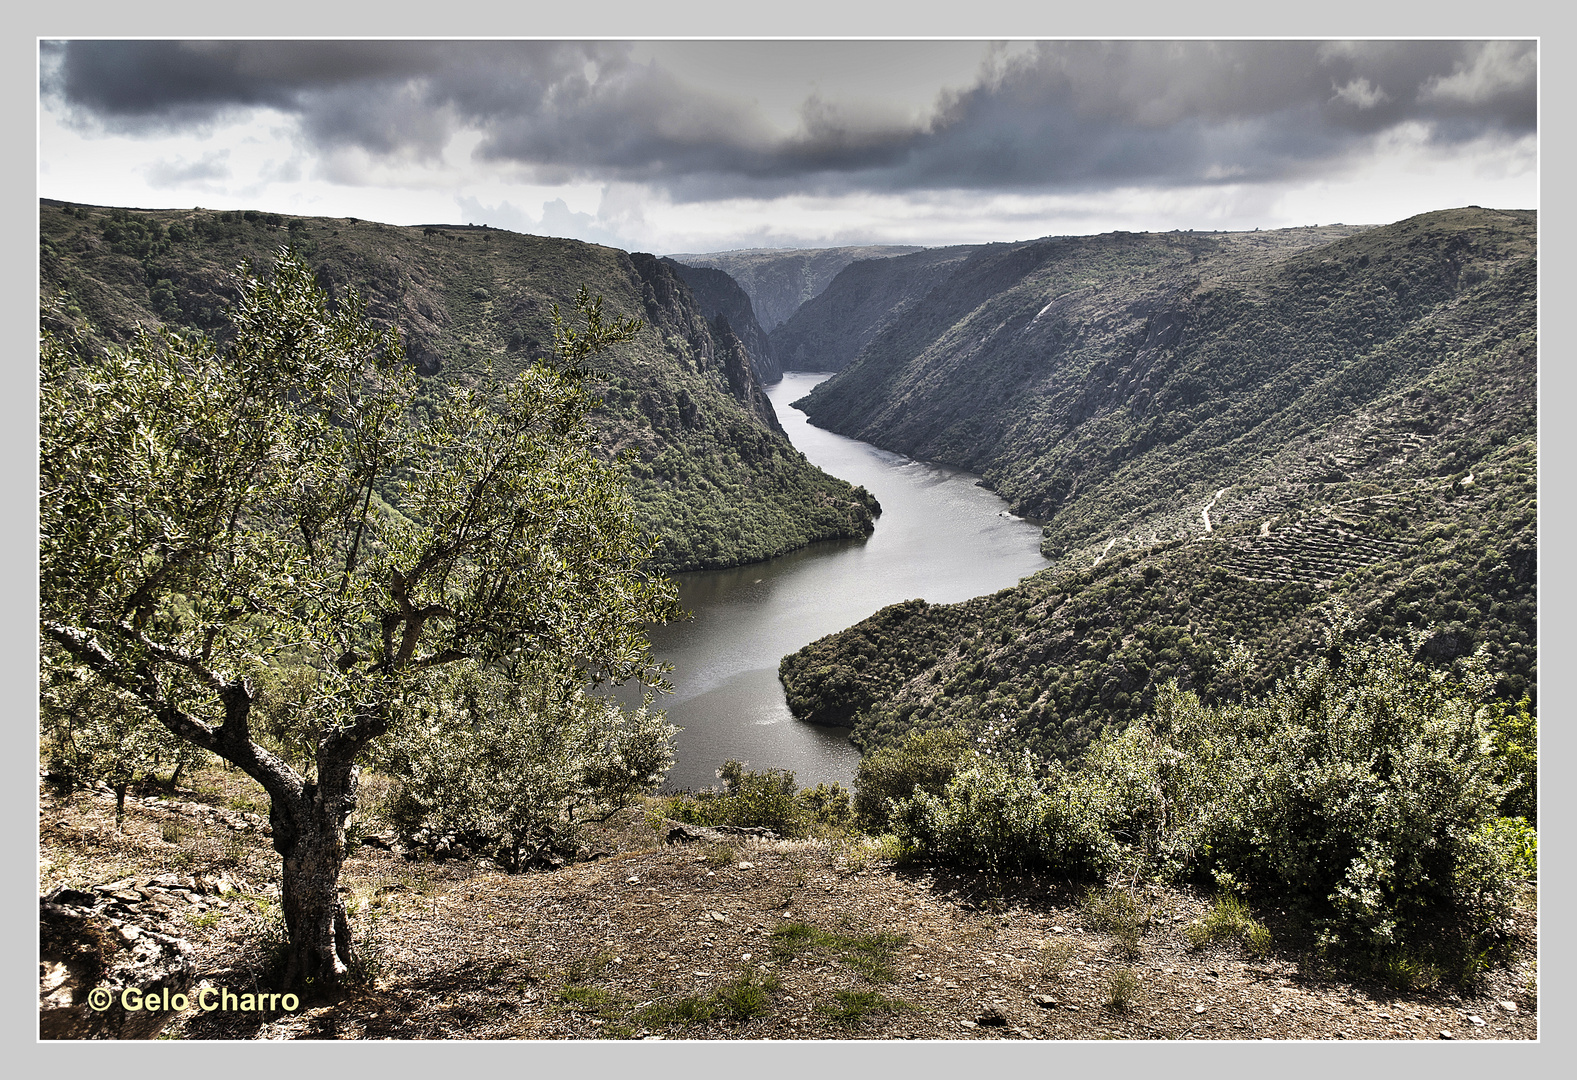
1363, 792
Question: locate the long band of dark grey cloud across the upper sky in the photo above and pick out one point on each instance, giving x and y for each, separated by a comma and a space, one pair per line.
1062, 116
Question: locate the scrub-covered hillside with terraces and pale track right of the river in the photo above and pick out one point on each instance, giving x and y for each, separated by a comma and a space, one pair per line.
1223, 434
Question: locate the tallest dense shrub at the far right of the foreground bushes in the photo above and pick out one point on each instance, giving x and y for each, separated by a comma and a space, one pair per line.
1374, 786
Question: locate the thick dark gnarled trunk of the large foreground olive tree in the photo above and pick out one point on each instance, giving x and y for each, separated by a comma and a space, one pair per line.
310, 835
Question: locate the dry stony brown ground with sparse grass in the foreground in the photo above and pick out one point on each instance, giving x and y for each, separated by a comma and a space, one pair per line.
720, 939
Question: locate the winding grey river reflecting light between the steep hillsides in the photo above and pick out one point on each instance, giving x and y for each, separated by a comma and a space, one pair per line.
941, 538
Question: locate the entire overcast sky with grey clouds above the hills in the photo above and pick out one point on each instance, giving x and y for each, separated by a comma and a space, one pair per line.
709, 146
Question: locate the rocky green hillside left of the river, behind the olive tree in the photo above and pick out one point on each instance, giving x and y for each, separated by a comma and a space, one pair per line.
714, 477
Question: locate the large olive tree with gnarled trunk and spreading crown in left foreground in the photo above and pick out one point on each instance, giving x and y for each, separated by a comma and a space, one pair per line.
211, 515
